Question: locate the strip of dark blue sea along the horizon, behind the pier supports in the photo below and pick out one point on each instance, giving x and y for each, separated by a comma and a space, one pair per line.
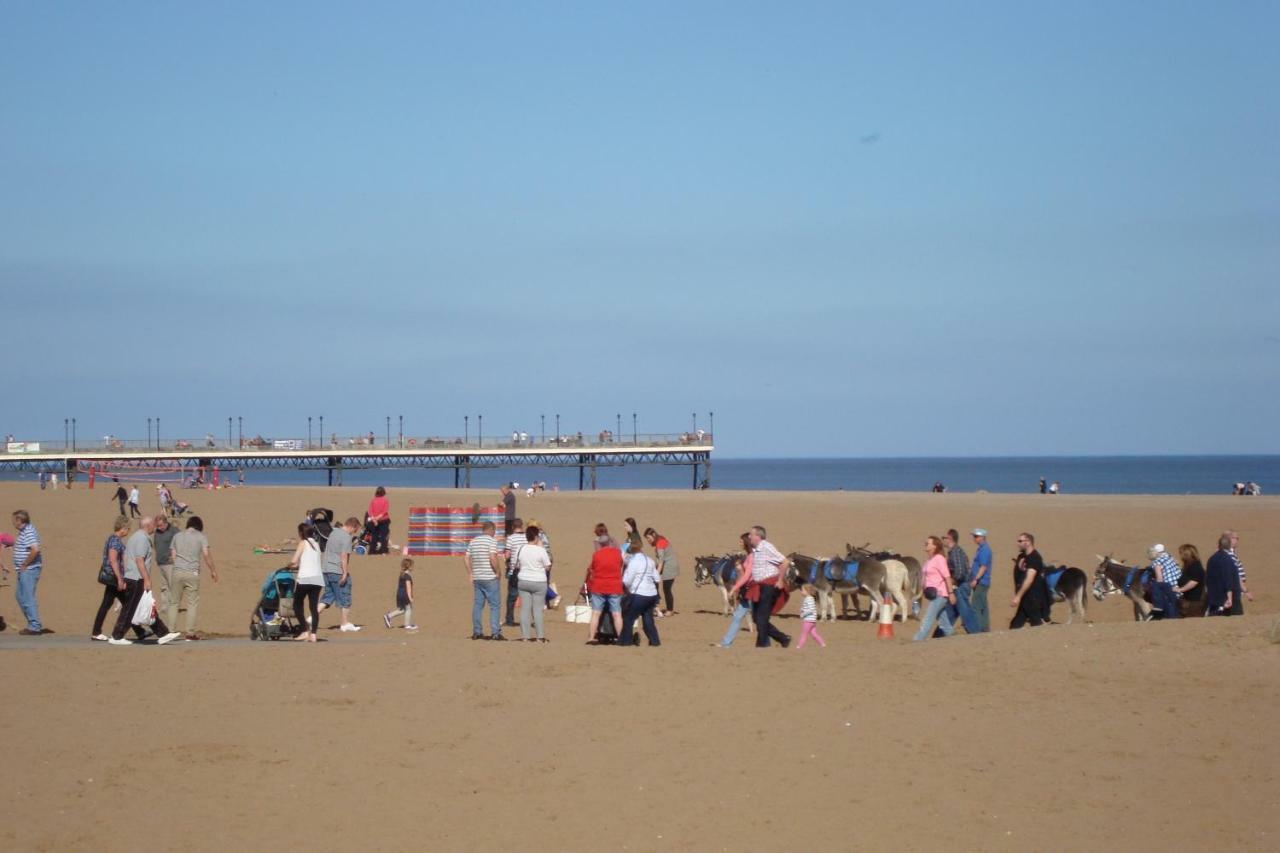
1021, 475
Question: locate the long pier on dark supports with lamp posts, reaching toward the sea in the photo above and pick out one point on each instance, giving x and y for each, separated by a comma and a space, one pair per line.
120, 458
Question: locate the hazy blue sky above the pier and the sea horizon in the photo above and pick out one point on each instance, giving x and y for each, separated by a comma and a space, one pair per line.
849, 229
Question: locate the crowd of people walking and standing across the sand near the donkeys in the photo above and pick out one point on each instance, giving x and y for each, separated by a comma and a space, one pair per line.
624, 586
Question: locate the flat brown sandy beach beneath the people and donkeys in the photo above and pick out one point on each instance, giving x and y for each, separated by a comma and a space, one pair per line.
1109, 736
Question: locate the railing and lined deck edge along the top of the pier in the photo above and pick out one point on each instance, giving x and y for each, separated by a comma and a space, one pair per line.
367, 443
